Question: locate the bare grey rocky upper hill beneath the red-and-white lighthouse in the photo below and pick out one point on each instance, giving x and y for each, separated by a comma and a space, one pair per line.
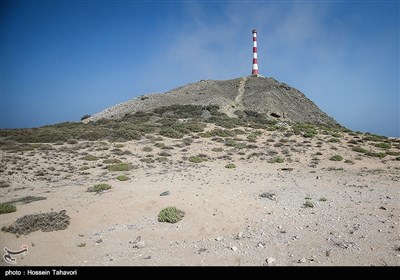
273, 100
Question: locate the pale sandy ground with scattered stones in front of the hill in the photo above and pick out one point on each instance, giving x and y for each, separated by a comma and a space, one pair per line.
354, 221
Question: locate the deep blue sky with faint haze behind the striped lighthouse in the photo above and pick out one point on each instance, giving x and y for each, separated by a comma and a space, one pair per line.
61, 60
